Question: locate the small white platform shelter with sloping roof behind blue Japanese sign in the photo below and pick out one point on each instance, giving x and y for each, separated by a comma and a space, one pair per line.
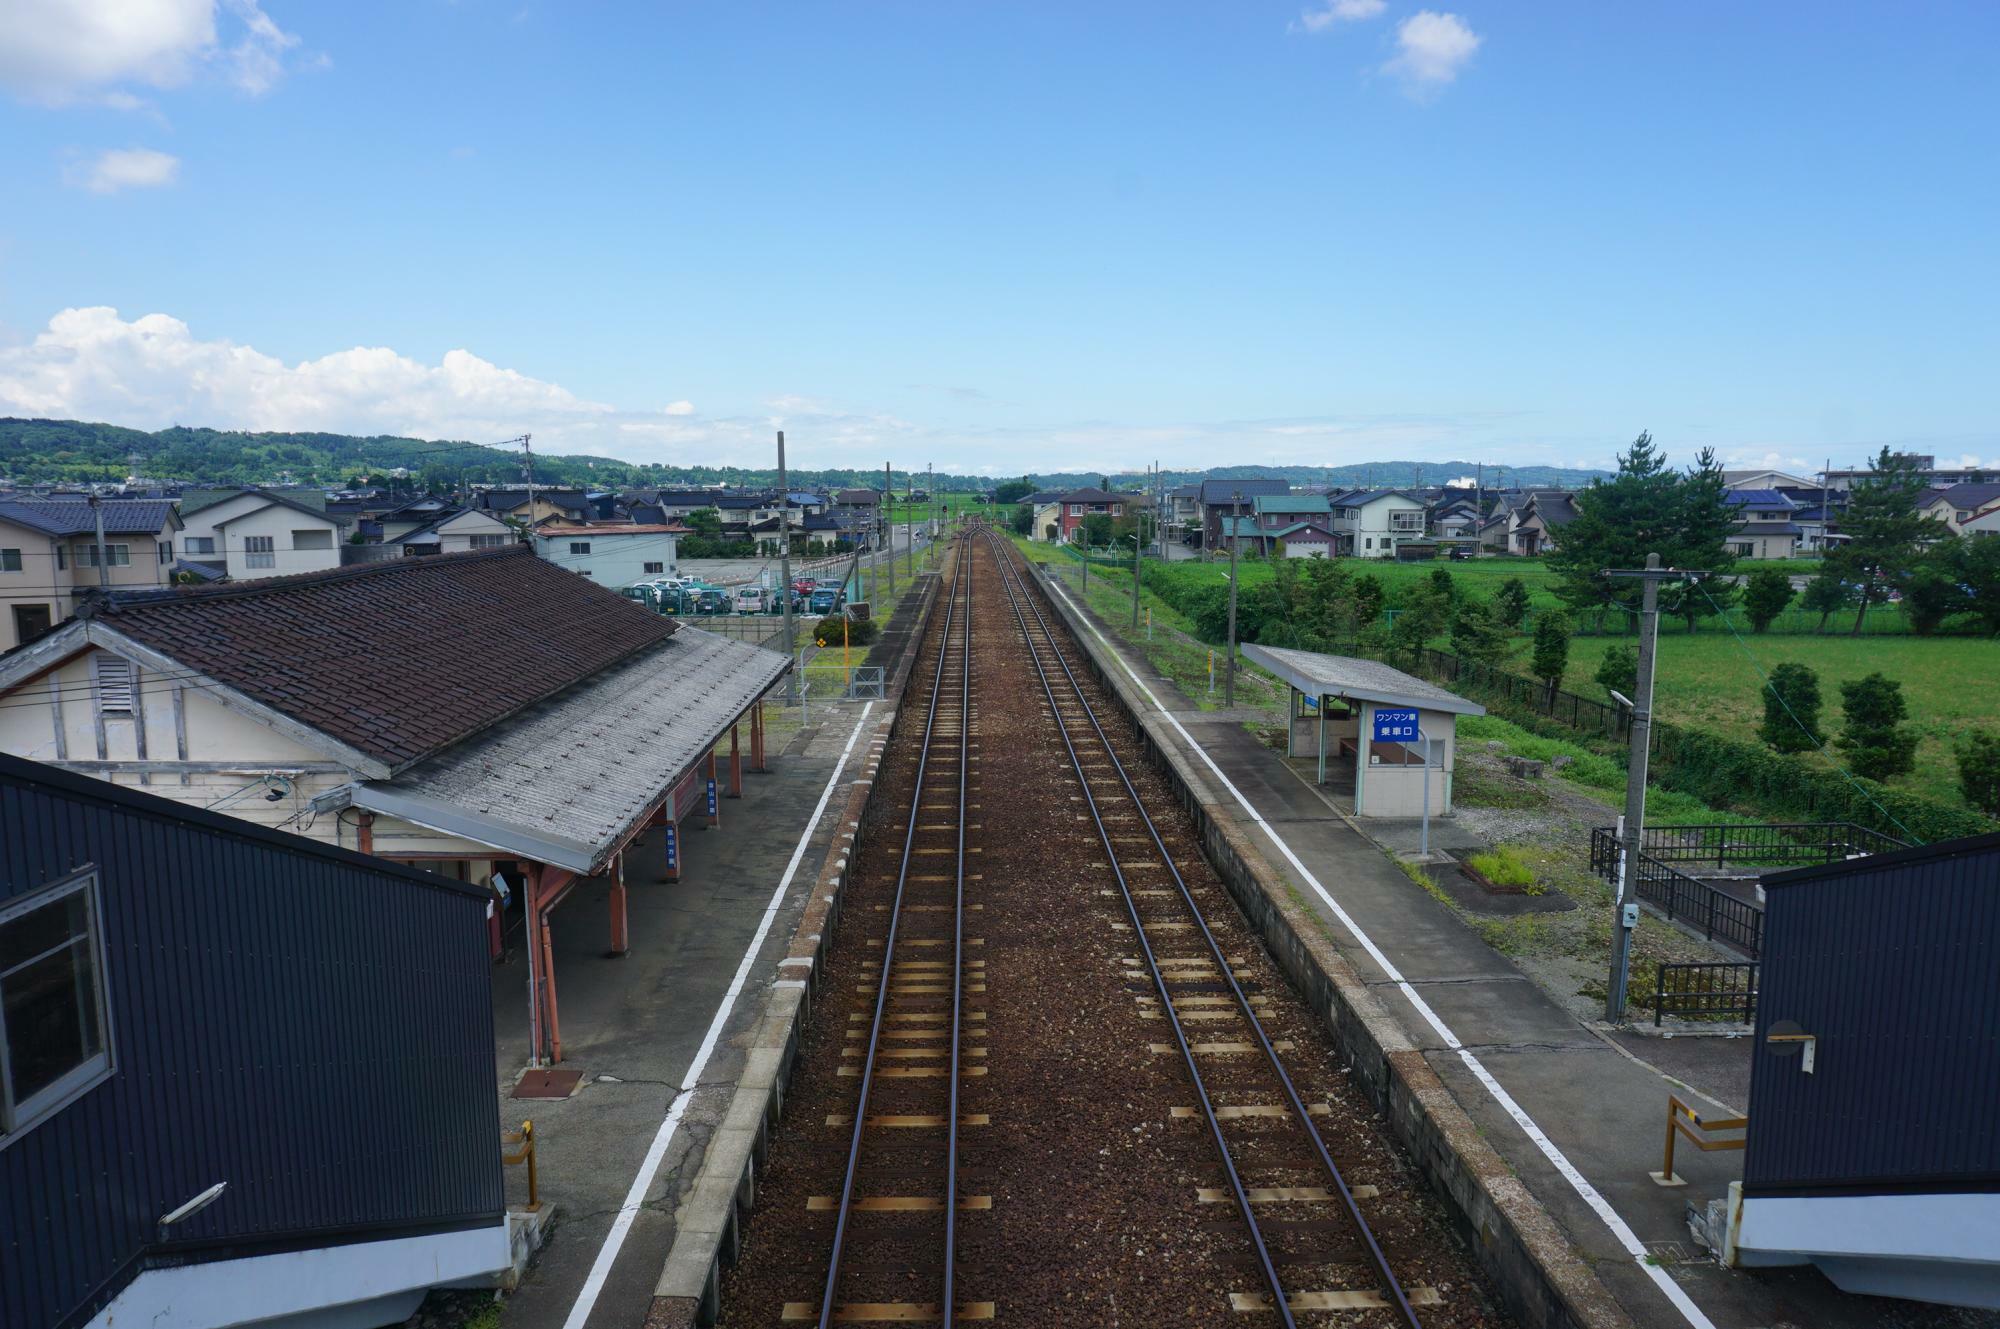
1379, 726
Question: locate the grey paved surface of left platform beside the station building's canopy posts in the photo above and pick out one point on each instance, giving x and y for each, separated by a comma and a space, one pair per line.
635, 1028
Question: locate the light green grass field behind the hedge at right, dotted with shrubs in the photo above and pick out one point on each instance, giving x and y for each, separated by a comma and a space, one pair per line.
1711, 682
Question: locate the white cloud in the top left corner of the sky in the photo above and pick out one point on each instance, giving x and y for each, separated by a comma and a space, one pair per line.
95, 51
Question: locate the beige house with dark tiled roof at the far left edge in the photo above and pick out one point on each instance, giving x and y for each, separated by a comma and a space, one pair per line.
51, 557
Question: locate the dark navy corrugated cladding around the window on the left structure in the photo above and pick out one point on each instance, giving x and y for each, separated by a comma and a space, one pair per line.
305, 1024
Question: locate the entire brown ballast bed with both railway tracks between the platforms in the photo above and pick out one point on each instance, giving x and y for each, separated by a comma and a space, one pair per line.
1139, 1124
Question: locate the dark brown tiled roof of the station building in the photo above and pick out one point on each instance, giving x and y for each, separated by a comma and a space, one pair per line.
403, 657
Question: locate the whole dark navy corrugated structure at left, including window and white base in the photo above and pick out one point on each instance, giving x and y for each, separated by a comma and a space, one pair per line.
201, 1126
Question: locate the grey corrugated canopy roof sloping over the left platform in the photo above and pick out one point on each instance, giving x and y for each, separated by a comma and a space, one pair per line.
567, 780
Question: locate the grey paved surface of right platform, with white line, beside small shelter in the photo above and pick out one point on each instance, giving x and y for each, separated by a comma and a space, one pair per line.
1519, 1064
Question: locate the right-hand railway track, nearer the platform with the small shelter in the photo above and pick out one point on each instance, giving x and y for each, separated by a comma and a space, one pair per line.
1181, 984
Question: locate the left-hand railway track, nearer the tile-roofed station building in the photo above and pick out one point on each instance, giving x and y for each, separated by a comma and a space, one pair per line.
913, 1060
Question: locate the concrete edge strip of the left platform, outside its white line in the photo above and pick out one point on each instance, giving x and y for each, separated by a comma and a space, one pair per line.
709, 1222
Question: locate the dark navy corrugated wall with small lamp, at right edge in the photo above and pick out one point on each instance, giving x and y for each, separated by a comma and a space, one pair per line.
1893, 964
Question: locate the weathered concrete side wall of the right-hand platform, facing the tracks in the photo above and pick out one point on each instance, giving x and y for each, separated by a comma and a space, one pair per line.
1519, 1244
